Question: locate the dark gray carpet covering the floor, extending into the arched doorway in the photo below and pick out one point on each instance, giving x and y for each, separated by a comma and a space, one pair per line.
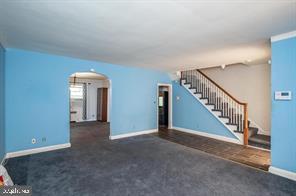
143, 165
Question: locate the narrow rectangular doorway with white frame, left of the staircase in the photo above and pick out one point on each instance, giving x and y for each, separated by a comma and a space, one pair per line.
164, 106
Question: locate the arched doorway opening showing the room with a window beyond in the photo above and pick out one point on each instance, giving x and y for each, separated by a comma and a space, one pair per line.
90, 100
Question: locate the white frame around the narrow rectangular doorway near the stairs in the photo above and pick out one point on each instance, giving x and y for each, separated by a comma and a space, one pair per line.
170, 112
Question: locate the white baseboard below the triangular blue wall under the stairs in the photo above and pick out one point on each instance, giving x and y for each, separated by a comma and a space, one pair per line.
210, 135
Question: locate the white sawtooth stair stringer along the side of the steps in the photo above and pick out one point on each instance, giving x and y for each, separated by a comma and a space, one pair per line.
230, 128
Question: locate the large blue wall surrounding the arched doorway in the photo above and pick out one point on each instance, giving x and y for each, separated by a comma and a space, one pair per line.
37, 97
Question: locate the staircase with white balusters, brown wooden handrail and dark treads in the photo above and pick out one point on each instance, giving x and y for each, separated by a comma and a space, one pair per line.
230, 111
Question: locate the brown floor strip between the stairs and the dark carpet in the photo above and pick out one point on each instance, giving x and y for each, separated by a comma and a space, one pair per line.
242, 154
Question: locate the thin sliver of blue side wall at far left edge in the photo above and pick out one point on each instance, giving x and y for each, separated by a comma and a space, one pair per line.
2, 135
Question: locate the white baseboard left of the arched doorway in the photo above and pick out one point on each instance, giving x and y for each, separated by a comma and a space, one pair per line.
37, 150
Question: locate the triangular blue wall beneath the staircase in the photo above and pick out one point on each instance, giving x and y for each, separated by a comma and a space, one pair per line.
190, 114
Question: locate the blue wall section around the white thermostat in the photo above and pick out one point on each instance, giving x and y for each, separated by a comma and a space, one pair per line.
283, 127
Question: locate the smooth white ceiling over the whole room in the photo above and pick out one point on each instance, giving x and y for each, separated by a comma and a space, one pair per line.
168, 35
